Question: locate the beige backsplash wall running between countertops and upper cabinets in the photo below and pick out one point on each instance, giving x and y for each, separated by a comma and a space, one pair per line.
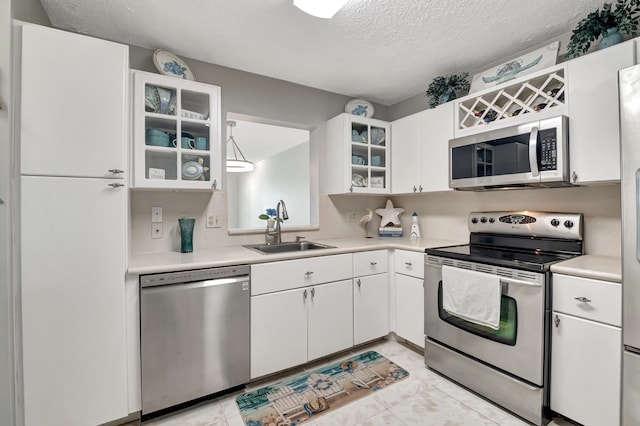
442, 215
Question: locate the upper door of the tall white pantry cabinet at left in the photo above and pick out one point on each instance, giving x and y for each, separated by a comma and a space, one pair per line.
74, 97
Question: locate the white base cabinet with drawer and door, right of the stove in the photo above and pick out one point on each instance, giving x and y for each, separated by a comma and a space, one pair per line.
586, 352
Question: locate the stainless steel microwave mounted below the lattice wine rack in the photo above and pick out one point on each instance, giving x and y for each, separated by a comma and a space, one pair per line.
534, 154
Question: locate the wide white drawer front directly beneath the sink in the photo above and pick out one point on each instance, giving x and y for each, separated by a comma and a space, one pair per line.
285, 275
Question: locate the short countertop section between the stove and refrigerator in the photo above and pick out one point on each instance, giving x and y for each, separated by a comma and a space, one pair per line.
589, 266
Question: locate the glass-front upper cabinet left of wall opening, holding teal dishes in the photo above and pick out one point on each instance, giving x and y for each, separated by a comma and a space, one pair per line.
176, 133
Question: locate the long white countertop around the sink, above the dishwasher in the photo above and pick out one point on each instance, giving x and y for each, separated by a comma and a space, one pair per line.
149, 263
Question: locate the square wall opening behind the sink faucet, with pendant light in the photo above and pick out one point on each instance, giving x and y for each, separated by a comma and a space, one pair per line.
284, 170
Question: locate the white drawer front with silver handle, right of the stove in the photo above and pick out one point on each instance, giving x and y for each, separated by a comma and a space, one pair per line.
587, 298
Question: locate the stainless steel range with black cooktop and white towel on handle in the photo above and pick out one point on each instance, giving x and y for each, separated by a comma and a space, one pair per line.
507, 362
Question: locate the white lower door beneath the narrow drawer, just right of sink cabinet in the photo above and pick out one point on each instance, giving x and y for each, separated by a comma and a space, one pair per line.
370, 307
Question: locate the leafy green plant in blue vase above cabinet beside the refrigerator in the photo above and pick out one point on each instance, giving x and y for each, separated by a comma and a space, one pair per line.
607, 22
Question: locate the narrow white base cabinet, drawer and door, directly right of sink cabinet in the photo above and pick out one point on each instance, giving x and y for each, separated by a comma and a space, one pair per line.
370, 295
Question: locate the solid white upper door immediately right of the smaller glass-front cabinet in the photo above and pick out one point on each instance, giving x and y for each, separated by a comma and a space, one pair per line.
405, 155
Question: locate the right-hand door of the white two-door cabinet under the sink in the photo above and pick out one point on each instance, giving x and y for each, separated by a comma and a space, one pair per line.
330, 318
